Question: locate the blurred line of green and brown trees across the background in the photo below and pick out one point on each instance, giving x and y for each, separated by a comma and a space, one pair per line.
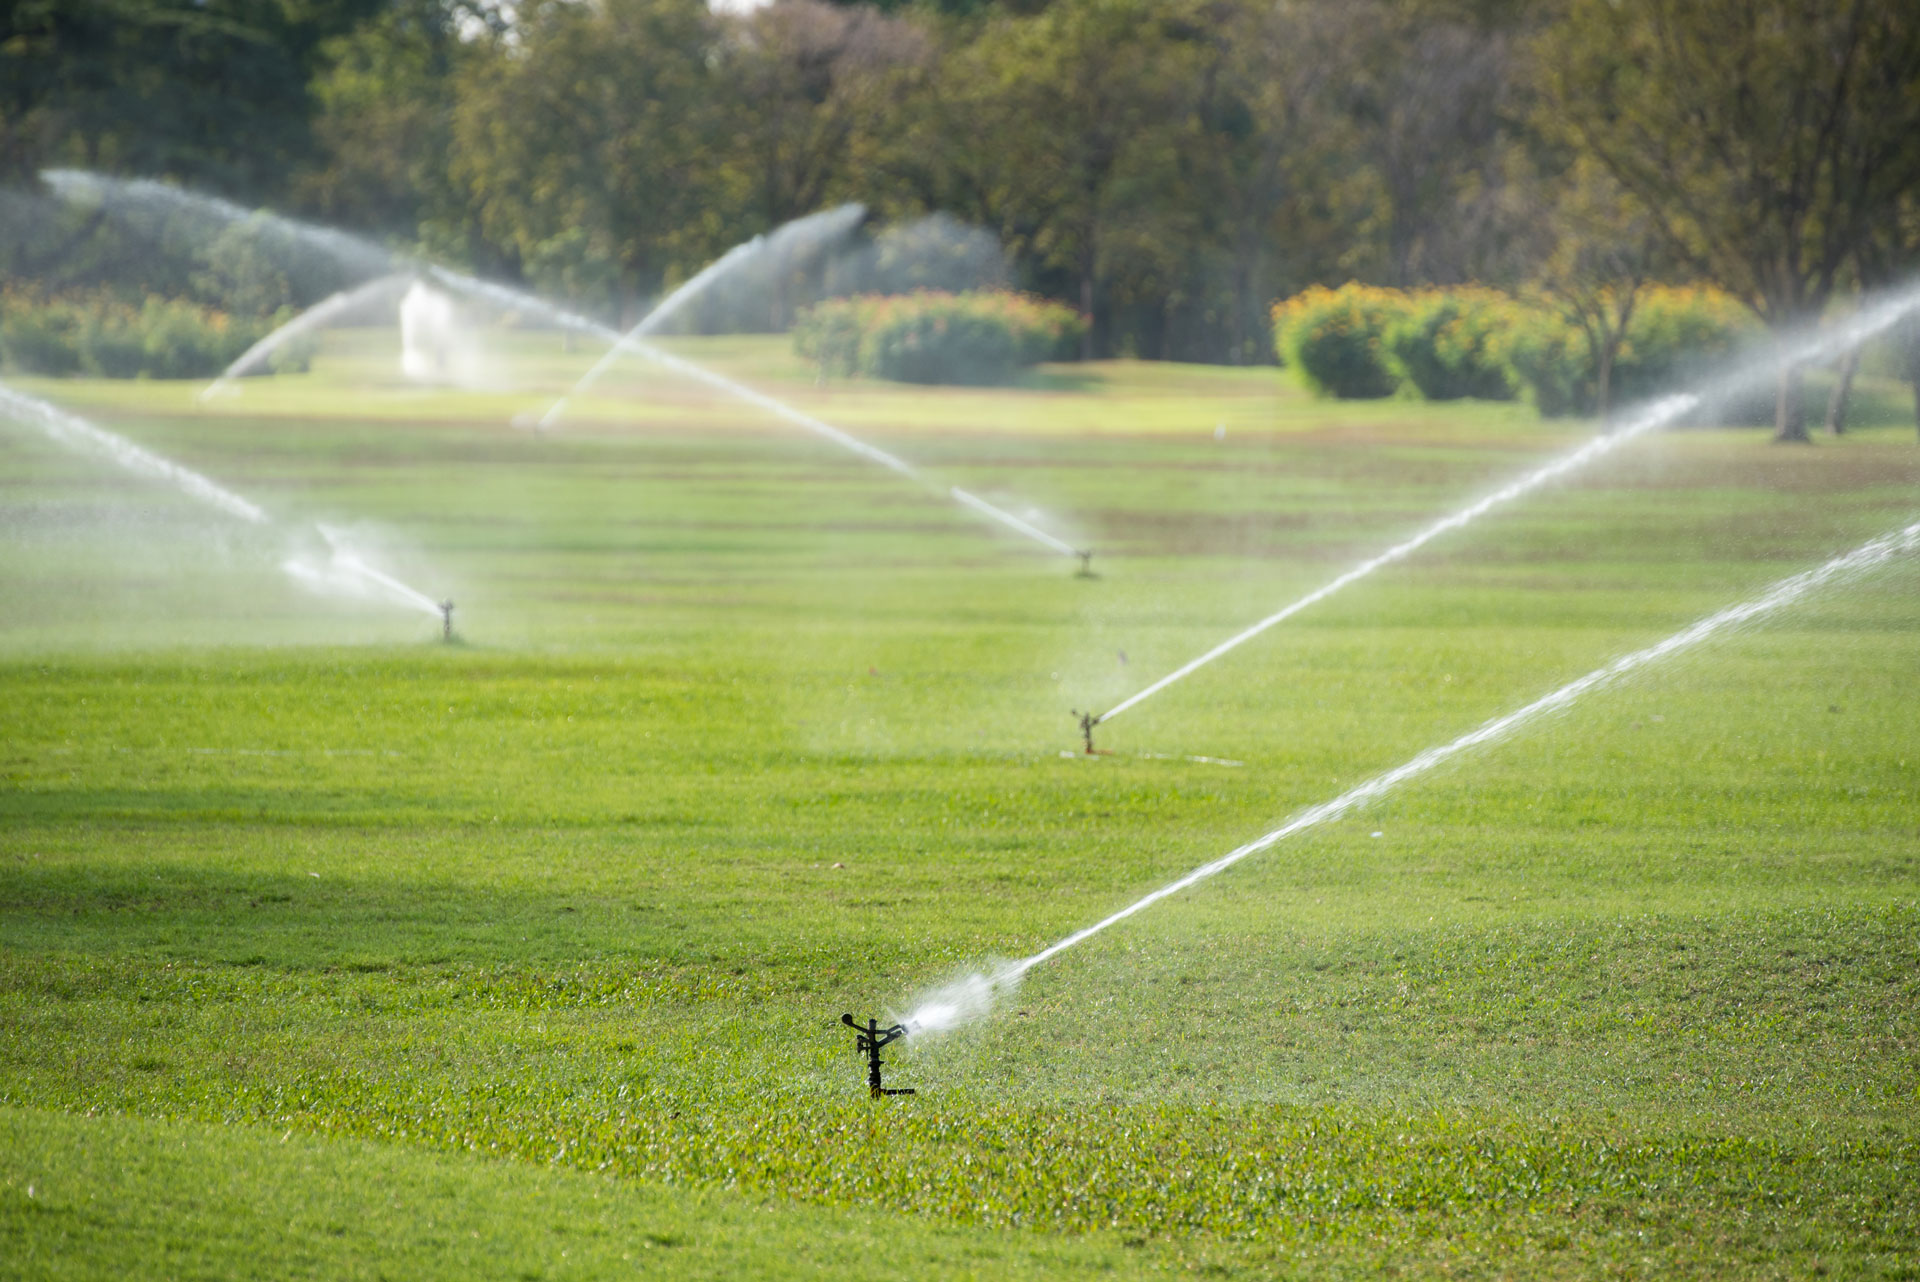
1164, 166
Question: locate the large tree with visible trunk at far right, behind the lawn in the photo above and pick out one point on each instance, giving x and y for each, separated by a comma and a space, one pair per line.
1765, 137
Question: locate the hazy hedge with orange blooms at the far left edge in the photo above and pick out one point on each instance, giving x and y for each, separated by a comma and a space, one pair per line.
110, 339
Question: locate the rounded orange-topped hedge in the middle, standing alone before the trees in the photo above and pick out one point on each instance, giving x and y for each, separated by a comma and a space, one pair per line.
936, 339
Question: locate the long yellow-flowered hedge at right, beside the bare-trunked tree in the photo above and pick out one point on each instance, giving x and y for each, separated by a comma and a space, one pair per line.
1445, 344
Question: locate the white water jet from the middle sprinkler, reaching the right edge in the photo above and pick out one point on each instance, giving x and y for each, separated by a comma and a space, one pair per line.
1858, 329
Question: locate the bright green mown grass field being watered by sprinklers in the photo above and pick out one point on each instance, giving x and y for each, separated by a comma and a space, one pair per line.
333, 951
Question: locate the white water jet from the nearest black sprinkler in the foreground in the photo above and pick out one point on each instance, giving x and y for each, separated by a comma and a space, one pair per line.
976, 995
